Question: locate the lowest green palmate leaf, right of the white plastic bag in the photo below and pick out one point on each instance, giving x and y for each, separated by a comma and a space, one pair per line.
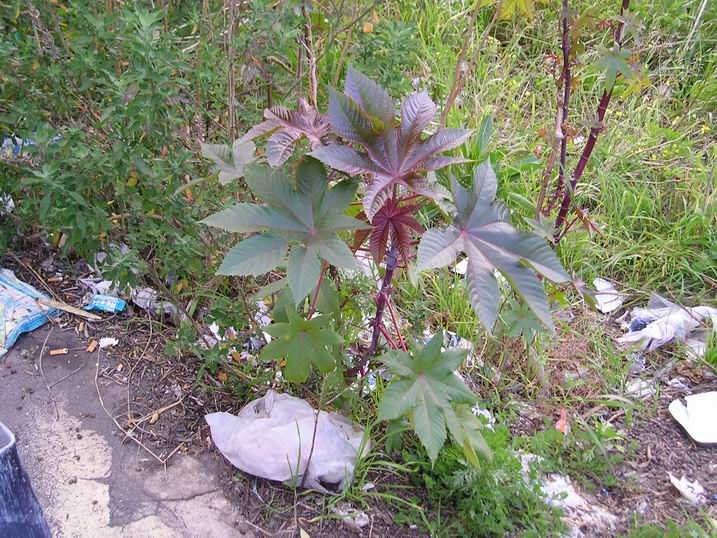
425, 390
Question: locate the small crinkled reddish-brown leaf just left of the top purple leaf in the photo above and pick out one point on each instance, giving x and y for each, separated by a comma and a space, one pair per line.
286, 127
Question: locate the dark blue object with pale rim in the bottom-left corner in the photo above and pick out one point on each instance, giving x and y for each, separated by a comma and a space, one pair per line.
20, 513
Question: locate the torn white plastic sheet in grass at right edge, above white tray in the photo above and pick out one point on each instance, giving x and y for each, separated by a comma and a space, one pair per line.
664, 322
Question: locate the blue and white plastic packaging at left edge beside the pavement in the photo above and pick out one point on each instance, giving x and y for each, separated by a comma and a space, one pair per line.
20, 311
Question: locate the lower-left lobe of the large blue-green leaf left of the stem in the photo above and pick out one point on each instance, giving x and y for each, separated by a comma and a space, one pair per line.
254, 256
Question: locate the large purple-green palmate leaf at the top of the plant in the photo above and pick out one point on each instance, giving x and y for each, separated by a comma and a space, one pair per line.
391, 154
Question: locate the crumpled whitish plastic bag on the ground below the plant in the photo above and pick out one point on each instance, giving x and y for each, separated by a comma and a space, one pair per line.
271, 438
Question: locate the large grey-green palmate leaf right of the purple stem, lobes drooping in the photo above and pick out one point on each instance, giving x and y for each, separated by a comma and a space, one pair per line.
481, 231
